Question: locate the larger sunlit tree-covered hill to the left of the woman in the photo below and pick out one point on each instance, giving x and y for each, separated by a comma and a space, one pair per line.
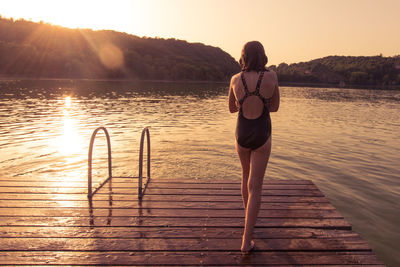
40, 50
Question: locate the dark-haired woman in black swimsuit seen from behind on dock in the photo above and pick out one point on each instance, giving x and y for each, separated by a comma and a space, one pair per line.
254, 92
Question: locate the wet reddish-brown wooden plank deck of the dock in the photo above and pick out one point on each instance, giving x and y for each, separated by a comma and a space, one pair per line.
178, 222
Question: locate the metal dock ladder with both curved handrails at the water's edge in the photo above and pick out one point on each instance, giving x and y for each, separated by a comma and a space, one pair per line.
141, 189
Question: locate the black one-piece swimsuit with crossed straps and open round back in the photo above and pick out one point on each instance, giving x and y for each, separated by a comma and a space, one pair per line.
253, 133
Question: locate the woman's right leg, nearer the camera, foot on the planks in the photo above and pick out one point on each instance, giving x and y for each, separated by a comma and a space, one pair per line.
258, 164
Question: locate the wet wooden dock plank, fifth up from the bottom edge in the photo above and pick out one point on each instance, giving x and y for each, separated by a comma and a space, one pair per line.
182, 213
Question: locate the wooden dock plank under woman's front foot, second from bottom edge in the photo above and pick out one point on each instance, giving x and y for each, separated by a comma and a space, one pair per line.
181, 244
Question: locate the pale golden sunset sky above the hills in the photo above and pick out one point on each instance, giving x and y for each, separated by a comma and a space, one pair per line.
290, 30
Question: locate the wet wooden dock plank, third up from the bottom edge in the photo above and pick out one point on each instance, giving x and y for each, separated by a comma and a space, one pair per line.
168, 232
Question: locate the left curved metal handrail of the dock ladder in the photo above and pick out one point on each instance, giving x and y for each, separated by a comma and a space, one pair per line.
90, 193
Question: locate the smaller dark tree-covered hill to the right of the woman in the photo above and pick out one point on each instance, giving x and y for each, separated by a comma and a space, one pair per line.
341, 70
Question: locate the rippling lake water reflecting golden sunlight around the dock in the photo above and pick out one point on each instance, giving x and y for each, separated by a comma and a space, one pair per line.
347, 141
